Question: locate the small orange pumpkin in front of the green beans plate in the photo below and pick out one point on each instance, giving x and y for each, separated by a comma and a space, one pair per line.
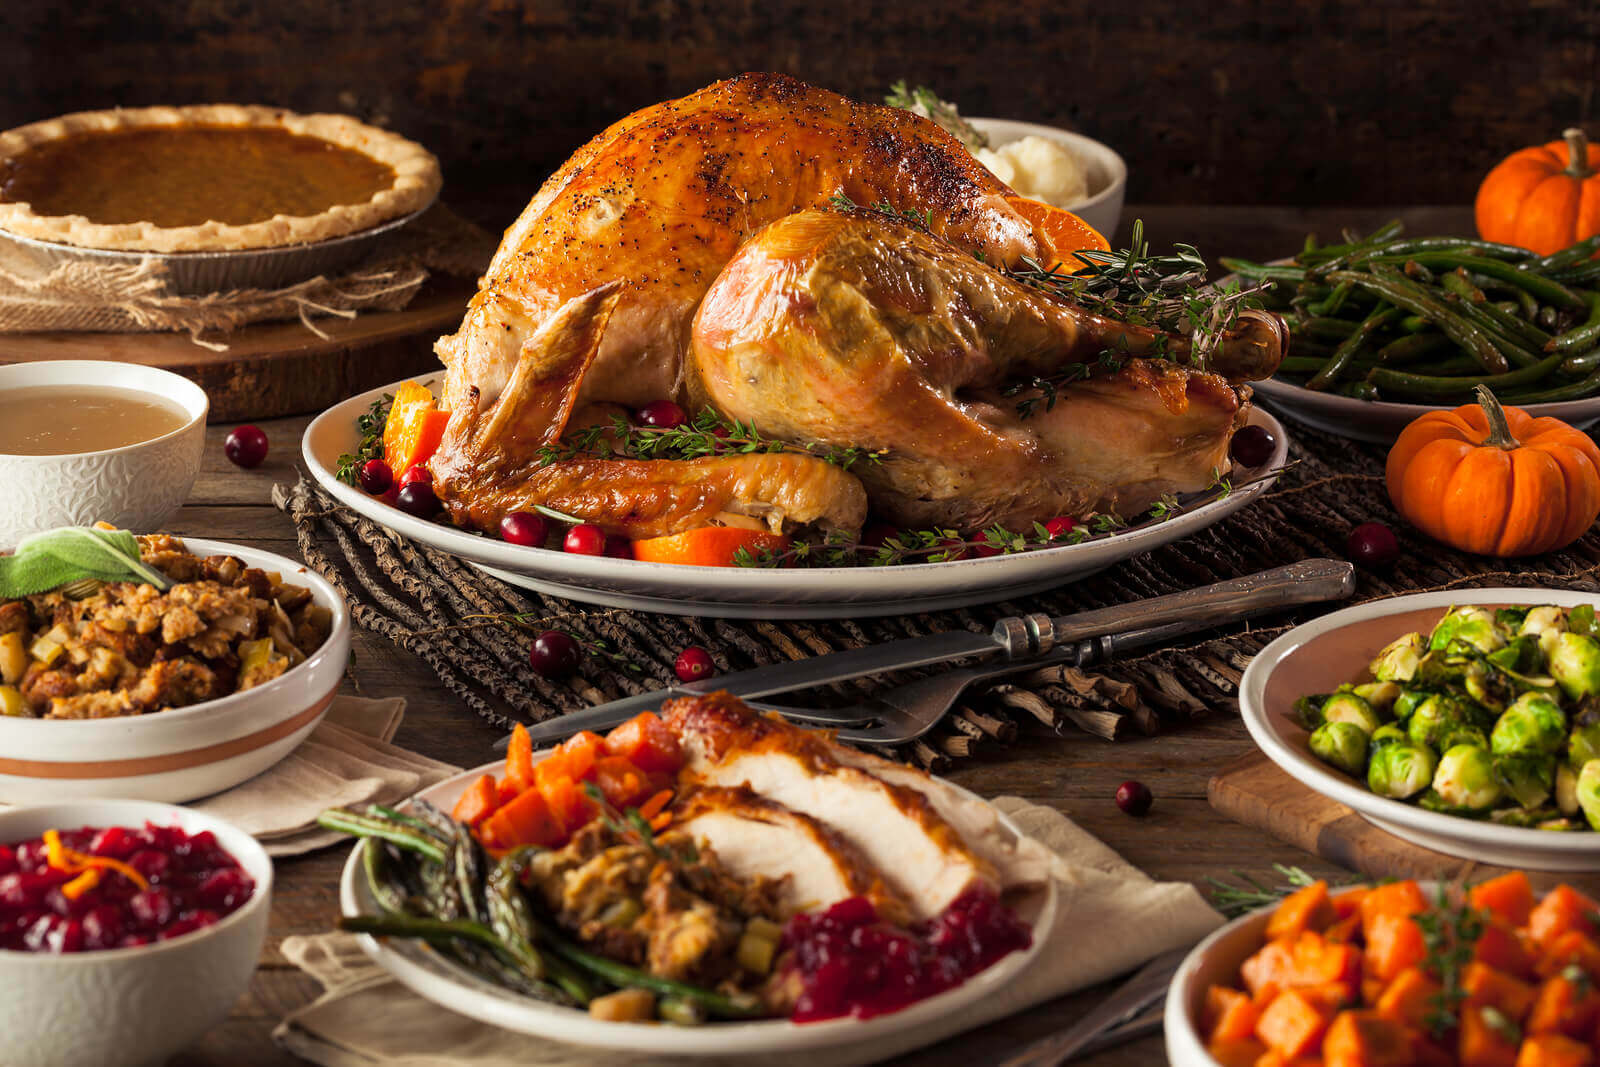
1495, 482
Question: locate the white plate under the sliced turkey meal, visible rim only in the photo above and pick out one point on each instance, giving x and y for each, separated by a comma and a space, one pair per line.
454, 988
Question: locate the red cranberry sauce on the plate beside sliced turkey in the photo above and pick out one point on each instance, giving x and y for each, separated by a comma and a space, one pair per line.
852, 964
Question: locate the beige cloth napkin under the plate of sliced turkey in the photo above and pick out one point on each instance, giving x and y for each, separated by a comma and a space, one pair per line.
1110, 921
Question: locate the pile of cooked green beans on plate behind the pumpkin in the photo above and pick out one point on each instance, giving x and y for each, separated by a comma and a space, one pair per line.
1430, 319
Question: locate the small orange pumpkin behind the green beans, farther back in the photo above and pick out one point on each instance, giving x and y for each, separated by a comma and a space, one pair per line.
1546, 198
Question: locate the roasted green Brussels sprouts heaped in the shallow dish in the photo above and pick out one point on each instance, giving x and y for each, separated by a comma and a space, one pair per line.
1494, 716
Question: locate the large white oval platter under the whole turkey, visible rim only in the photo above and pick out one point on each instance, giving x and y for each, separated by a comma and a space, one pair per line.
814, 593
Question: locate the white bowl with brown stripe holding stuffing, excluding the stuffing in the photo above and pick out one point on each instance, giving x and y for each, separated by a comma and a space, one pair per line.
185, 753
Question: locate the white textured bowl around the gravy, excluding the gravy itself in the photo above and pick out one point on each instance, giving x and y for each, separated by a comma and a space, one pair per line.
137, 487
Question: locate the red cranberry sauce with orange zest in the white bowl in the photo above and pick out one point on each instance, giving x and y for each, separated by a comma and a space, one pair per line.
114, 889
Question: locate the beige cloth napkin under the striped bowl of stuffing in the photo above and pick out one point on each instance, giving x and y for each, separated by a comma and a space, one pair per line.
346, 761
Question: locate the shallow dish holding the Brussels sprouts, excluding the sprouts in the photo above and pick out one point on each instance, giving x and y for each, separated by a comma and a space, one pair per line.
1332, 650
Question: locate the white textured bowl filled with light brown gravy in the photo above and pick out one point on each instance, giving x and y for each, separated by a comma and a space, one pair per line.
87, 441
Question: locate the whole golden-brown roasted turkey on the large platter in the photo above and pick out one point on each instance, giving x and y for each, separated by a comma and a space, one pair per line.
687, 254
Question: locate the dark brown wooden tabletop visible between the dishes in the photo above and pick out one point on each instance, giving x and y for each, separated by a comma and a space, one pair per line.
1182, 839
